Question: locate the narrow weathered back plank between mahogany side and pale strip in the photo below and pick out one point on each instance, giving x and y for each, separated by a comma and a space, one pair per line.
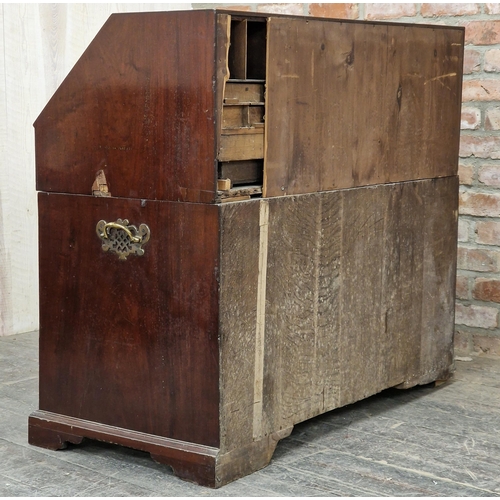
240, 234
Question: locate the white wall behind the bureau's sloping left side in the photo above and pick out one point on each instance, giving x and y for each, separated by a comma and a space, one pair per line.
39, 44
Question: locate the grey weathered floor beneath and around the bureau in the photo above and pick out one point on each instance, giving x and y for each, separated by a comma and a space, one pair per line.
426, 441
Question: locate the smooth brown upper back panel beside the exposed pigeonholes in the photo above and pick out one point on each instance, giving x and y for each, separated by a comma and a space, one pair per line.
360, 104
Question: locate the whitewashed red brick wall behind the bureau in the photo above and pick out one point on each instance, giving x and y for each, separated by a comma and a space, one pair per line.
478, 275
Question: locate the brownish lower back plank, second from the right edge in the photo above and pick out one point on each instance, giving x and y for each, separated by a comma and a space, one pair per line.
402, 284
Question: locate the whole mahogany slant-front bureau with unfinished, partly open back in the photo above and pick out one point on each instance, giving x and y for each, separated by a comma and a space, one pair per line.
244, 221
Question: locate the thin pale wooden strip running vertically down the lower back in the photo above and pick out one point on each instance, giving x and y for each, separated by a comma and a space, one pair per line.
261, 320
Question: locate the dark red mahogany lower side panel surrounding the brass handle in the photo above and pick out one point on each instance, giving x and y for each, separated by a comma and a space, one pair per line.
131, 344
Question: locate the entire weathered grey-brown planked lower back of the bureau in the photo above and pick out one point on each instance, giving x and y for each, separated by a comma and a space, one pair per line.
358, 297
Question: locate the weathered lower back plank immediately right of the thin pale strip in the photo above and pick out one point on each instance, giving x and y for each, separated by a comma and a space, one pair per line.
290, 388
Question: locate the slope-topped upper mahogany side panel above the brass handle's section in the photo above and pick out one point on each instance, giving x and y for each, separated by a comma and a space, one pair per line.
139, 104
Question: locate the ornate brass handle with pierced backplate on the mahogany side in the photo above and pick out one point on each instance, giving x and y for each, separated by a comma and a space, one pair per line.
122, 238
